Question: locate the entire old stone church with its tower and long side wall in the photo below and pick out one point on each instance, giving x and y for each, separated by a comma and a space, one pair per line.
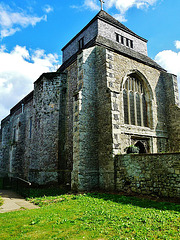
106, 97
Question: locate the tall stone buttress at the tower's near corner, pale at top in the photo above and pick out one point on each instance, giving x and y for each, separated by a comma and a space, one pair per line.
85, 151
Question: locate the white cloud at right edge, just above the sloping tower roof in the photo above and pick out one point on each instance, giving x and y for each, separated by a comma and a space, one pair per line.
170, 61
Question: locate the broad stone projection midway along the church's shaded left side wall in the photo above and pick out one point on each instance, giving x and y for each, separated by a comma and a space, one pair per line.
44, 164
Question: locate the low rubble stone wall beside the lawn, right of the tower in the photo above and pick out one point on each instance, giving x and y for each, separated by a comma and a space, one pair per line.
152, 174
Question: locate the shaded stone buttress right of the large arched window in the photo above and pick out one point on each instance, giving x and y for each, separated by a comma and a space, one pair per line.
168, 113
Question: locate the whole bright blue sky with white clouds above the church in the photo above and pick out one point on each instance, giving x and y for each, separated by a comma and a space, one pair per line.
32, 33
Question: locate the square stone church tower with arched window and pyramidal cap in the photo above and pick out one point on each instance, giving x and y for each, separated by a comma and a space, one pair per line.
117, 97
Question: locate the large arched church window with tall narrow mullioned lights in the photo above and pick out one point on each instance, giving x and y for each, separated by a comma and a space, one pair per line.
135, 104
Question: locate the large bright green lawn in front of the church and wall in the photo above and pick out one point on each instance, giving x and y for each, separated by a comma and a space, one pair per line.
93, 216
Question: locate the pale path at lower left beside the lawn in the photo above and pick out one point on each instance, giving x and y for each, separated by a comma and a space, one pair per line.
14, 202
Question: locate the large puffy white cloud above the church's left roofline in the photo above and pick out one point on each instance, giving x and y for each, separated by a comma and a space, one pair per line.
19, 69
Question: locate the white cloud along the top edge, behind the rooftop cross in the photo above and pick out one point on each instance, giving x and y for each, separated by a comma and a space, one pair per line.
121, 5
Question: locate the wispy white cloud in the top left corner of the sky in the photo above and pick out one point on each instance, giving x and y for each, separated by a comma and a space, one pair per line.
11, 21
